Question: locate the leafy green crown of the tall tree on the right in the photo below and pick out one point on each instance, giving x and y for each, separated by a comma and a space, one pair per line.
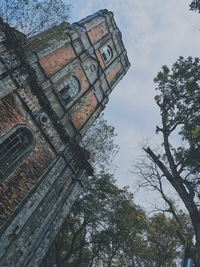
179, 102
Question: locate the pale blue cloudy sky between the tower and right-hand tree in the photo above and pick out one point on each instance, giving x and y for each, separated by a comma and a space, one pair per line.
155, 33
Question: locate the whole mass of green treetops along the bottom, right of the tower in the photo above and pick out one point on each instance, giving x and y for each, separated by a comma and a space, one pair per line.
106, 228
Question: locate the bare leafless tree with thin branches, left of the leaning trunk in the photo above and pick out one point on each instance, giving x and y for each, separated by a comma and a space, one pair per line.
151, 178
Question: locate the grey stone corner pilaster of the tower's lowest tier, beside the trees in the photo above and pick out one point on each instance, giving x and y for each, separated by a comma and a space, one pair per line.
29, 235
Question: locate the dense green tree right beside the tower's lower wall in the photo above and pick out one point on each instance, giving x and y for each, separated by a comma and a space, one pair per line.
100, 222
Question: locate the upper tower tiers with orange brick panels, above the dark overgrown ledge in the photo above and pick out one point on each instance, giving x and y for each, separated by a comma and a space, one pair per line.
78, 67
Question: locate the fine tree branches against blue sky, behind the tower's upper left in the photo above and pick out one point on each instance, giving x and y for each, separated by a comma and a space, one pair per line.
33, 16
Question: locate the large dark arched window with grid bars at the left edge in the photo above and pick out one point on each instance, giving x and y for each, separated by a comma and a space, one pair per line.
14, 147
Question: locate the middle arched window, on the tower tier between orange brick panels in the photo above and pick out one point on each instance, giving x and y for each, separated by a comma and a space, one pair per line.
69, 88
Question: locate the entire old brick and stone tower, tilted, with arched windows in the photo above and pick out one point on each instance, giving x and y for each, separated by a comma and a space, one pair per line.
52, 87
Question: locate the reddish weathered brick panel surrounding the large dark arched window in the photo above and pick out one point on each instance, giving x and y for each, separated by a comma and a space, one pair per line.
14, 188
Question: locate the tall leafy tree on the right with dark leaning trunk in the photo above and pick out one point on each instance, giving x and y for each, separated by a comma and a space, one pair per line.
179, 103
